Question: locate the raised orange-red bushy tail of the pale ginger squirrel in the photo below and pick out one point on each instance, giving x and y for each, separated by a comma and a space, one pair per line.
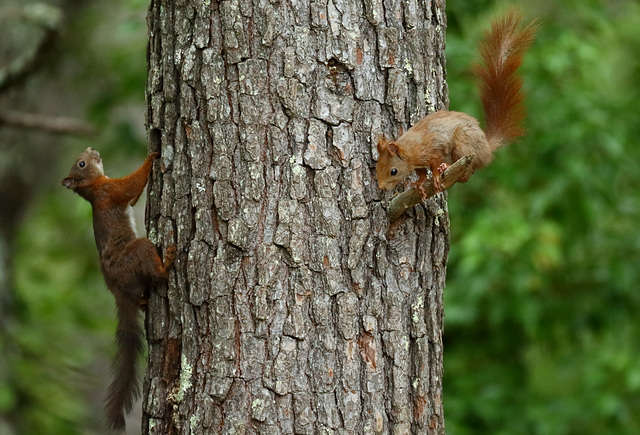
501, 91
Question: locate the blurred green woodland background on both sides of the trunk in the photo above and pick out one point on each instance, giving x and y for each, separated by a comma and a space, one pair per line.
542, 290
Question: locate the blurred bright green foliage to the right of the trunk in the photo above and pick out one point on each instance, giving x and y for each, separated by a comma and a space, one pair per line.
542, 292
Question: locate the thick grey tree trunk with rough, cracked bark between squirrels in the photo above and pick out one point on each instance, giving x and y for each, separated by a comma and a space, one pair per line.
294, 306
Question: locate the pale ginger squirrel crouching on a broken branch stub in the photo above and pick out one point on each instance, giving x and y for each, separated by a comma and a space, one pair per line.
441, 138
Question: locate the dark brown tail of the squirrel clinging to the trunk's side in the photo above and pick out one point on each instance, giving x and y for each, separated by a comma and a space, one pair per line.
125, 386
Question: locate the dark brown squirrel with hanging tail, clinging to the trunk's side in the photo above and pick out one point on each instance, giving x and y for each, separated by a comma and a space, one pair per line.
129, 264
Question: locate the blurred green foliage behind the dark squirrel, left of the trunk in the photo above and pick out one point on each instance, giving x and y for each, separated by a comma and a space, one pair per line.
57, 344
